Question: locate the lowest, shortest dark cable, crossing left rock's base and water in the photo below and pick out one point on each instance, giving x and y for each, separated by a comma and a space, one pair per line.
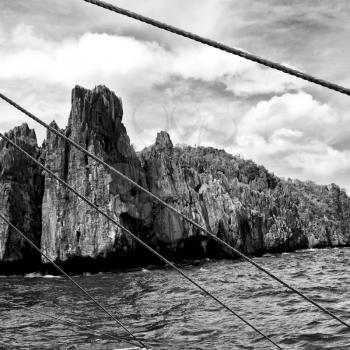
58, 268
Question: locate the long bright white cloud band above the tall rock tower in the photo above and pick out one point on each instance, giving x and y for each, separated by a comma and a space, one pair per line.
93, 58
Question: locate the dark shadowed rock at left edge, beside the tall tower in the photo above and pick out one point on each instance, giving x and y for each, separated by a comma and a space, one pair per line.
21, 190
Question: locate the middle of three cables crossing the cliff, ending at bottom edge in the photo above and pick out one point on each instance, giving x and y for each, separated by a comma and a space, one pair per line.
137, 239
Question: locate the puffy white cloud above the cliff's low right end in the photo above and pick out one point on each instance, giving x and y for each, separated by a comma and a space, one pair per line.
290, 133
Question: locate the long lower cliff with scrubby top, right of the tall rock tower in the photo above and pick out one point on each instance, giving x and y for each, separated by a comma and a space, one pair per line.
240, 202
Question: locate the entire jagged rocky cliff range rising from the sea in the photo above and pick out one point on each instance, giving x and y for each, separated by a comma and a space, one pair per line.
236, 199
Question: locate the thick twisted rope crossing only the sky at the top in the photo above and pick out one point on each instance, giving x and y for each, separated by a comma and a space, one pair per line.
221, 47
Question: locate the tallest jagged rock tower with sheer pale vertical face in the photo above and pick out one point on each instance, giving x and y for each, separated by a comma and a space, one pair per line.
71, 228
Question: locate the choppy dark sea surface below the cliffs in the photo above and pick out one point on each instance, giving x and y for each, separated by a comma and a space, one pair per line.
167, 312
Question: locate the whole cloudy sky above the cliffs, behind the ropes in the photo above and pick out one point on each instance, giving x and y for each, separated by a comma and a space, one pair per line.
199, 95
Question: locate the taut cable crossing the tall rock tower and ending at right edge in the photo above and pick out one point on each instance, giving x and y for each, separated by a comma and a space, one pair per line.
174, 210
